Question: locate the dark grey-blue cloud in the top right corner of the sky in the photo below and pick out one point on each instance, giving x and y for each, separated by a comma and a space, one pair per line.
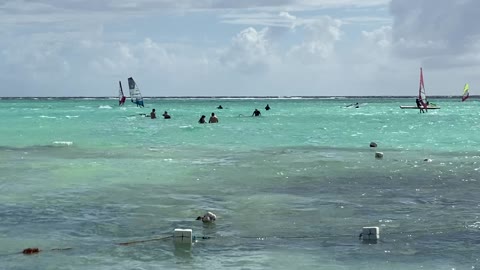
438, 31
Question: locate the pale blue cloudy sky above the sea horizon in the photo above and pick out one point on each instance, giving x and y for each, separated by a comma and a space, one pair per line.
238, 47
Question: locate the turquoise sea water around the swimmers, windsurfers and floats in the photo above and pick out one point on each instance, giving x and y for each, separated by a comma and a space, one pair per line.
292, 189
